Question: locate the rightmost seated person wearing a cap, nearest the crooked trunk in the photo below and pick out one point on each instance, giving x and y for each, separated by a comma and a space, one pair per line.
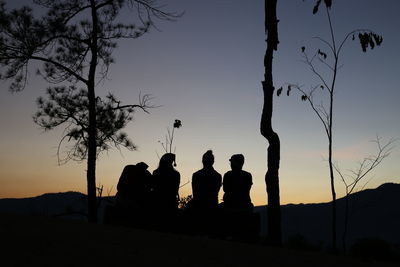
236, 185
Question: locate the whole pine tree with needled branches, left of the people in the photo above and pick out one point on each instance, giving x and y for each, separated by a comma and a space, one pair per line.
74, 40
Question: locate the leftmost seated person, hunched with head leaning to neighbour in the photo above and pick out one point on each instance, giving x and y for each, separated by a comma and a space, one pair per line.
134, 186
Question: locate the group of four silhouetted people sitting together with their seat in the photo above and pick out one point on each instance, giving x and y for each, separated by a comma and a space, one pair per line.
151, 200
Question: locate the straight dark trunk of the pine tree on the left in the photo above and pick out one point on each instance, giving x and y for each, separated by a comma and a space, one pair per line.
92, 131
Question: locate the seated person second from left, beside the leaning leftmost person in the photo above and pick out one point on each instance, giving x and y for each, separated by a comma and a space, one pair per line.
166, 184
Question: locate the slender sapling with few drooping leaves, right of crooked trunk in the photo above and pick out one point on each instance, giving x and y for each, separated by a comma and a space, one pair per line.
327, 85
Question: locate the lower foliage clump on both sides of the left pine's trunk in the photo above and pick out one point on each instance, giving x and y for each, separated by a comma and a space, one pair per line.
68, 105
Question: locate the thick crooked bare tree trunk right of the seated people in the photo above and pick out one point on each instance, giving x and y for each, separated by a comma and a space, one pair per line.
272, 175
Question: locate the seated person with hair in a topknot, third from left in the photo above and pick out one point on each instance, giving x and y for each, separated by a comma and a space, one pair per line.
206, 184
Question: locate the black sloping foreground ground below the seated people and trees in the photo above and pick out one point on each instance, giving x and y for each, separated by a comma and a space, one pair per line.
40, 241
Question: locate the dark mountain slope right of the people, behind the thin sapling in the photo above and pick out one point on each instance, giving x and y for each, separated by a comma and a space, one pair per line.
373, 213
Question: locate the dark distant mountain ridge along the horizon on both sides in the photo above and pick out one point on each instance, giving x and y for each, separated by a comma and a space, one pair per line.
373, 213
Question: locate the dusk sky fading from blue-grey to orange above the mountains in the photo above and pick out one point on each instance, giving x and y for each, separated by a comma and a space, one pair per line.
206, 70
